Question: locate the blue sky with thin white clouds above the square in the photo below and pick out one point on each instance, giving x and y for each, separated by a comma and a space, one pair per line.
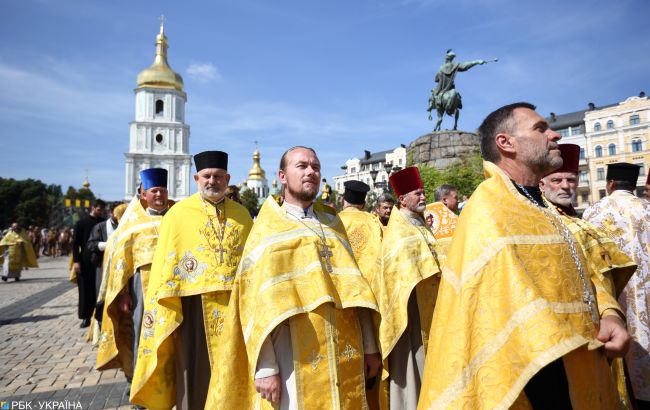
339, 76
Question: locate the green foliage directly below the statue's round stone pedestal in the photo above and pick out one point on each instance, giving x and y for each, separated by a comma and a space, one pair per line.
465, 176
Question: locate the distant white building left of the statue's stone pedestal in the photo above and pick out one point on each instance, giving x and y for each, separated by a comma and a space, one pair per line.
373, 169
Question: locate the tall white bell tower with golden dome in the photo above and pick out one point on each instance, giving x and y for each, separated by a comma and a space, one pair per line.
159, 137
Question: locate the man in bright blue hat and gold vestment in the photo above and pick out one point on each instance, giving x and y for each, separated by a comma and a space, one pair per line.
131, 254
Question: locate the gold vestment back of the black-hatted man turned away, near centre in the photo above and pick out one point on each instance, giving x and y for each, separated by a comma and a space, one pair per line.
364, 232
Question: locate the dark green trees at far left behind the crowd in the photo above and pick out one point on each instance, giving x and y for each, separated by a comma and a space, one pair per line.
29, 202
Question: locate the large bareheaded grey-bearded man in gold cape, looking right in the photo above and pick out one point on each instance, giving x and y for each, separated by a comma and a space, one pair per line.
518, 323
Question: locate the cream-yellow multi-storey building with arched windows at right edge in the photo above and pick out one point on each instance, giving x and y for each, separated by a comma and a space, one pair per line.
619, 133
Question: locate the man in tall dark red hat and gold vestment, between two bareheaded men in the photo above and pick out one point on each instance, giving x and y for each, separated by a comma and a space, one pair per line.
406, 287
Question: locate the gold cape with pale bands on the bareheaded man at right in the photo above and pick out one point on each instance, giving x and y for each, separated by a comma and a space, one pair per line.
510, 302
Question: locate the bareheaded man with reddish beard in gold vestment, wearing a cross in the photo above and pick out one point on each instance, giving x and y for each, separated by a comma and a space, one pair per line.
298, 332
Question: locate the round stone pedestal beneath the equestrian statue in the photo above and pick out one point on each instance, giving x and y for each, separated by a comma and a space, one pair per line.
441, 149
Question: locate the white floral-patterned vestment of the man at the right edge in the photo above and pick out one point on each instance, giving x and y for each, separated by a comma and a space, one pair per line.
626, 219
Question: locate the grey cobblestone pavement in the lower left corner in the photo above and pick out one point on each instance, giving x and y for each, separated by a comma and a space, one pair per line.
44, 357
